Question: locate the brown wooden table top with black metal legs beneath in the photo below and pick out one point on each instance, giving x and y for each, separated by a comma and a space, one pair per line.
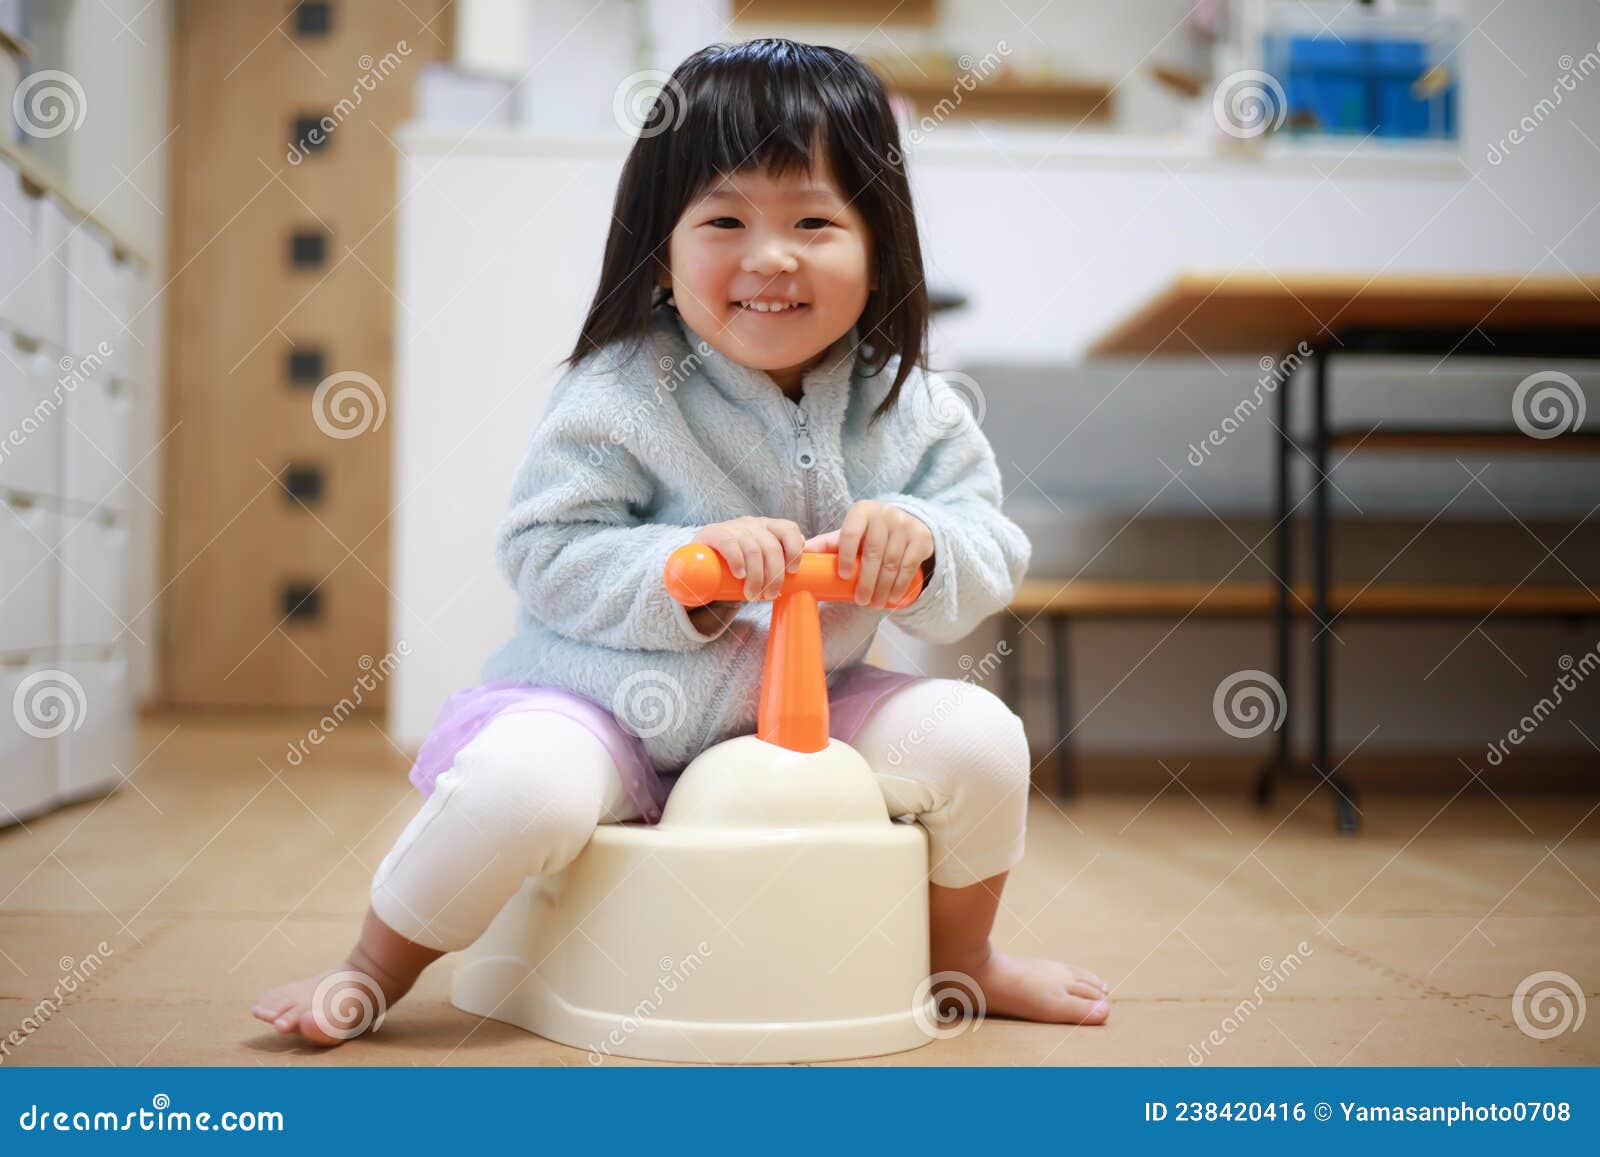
1262, 313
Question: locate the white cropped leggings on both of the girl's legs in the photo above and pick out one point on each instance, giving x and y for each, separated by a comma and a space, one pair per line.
526, 795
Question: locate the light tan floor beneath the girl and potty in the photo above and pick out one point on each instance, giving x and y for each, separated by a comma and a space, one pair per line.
220, 870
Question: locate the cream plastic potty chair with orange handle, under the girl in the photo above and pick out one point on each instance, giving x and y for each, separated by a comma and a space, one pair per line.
775, 913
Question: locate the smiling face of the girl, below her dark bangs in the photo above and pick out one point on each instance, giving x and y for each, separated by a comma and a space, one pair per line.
753, 239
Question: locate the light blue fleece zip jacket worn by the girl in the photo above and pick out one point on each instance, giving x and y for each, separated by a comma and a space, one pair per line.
633, 458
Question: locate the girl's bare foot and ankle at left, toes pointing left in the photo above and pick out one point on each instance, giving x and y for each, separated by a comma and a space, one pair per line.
353, 998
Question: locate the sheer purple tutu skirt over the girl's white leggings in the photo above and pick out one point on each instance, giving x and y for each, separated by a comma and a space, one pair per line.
850, 700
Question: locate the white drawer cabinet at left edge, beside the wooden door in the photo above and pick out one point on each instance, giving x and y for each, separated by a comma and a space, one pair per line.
68, 388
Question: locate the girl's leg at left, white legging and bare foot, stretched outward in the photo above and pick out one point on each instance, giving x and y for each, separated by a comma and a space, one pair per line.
522, 799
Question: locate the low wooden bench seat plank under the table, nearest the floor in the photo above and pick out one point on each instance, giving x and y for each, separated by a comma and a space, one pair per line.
1164, 599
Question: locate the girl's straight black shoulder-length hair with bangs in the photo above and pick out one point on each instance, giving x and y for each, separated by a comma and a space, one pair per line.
766, 105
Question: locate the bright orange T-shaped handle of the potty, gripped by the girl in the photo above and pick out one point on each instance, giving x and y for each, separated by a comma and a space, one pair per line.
794, 683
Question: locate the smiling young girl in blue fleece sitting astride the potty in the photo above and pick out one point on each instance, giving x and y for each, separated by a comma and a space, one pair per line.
750, 377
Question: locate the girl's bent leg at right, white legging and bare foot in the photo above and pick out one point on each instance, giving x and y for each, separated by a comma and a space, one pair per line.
956, 758
